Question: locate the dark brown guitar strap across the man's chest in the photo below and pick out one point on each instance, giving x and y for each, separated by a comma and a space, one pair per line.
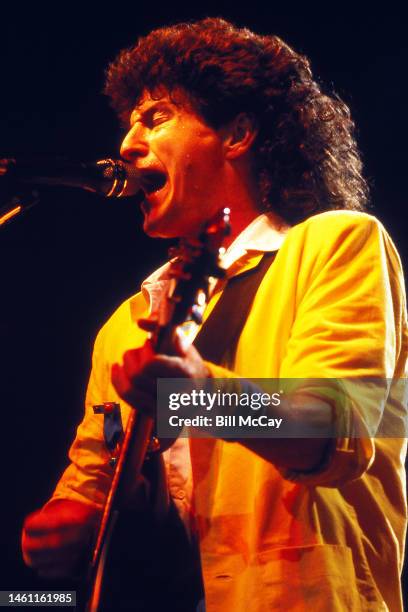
219, 335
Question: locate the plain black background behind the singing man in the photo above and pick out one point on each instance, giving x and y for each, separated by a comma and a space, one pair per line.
70, 261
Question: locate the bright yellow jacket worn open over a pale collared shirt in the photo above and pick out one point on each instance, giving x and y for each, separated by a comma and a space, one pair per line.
331, 306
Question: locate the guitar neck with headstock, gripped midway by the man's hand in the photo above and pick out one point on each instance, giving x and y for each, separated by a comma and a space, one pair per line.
198, 261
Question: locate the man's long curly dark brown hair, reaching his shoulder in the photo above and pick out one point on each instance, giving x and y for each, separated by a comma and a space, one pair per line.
306, 156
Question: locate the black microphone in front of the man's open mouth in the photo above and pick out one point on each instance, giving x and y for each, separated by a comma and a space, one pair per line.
111, 178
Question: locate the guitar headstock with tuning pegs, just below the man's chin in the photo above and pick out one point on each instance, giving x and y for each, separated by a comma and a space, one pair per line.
193, 262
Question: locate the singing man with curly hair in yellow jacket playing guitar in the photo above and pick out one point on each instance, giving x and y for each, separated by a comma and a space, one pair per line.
219, 116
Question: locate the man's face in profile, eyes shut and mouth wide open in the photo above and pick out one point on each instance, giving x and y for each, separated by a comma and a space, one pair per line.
182, 163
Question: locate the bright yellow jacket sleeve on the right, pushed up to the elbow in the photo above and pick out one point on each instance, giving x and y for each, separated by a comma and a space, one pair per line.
348, 337
